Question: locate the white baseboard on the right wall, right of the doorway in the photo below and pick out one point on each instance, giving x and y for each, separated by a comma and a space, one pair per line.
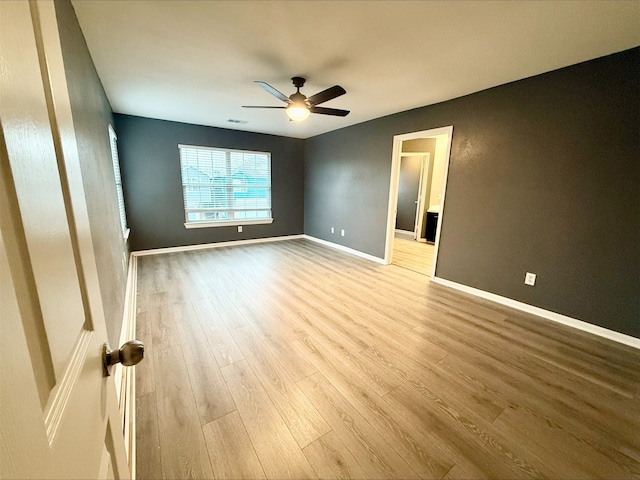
540, 312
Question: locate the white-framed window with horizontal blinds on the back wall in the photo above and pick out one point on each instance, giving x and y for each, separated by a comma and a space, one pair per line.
225, 187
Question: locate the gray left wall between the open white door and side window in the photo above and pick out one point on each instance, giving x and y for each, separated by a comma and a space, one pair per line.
91, 117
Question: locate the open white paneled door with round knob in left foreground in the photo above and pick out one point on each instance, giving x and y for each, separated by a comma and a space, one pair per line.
58, 414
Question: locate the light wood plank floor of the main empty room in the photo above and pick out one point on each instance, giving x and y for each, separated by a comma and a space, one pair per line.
292, 360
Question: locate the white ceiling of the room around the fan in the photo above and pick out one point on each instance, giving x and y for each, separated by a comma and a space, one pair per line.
195, 61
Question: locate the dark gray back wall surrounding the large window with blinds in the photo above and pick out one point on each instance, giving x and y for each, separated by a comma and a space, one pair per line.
153, 190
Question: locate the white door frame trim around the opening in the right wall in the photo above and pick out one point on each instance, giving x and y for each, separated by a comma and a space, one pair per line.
394, 181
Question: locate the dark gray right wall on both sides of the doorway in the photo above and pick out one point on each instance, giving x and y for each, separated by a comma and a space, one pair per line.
544, 177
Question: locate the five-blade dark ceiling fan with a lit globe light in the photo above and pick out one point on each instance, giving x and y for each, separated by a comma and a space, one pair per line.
300, 106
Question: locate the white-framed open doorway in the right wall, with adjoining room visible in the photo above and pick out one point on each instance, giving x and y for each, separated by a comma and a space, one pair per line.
417, 248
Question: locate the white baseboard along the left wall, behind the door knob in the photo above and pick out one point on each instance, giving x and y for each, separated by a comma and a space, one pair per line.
125, 378
